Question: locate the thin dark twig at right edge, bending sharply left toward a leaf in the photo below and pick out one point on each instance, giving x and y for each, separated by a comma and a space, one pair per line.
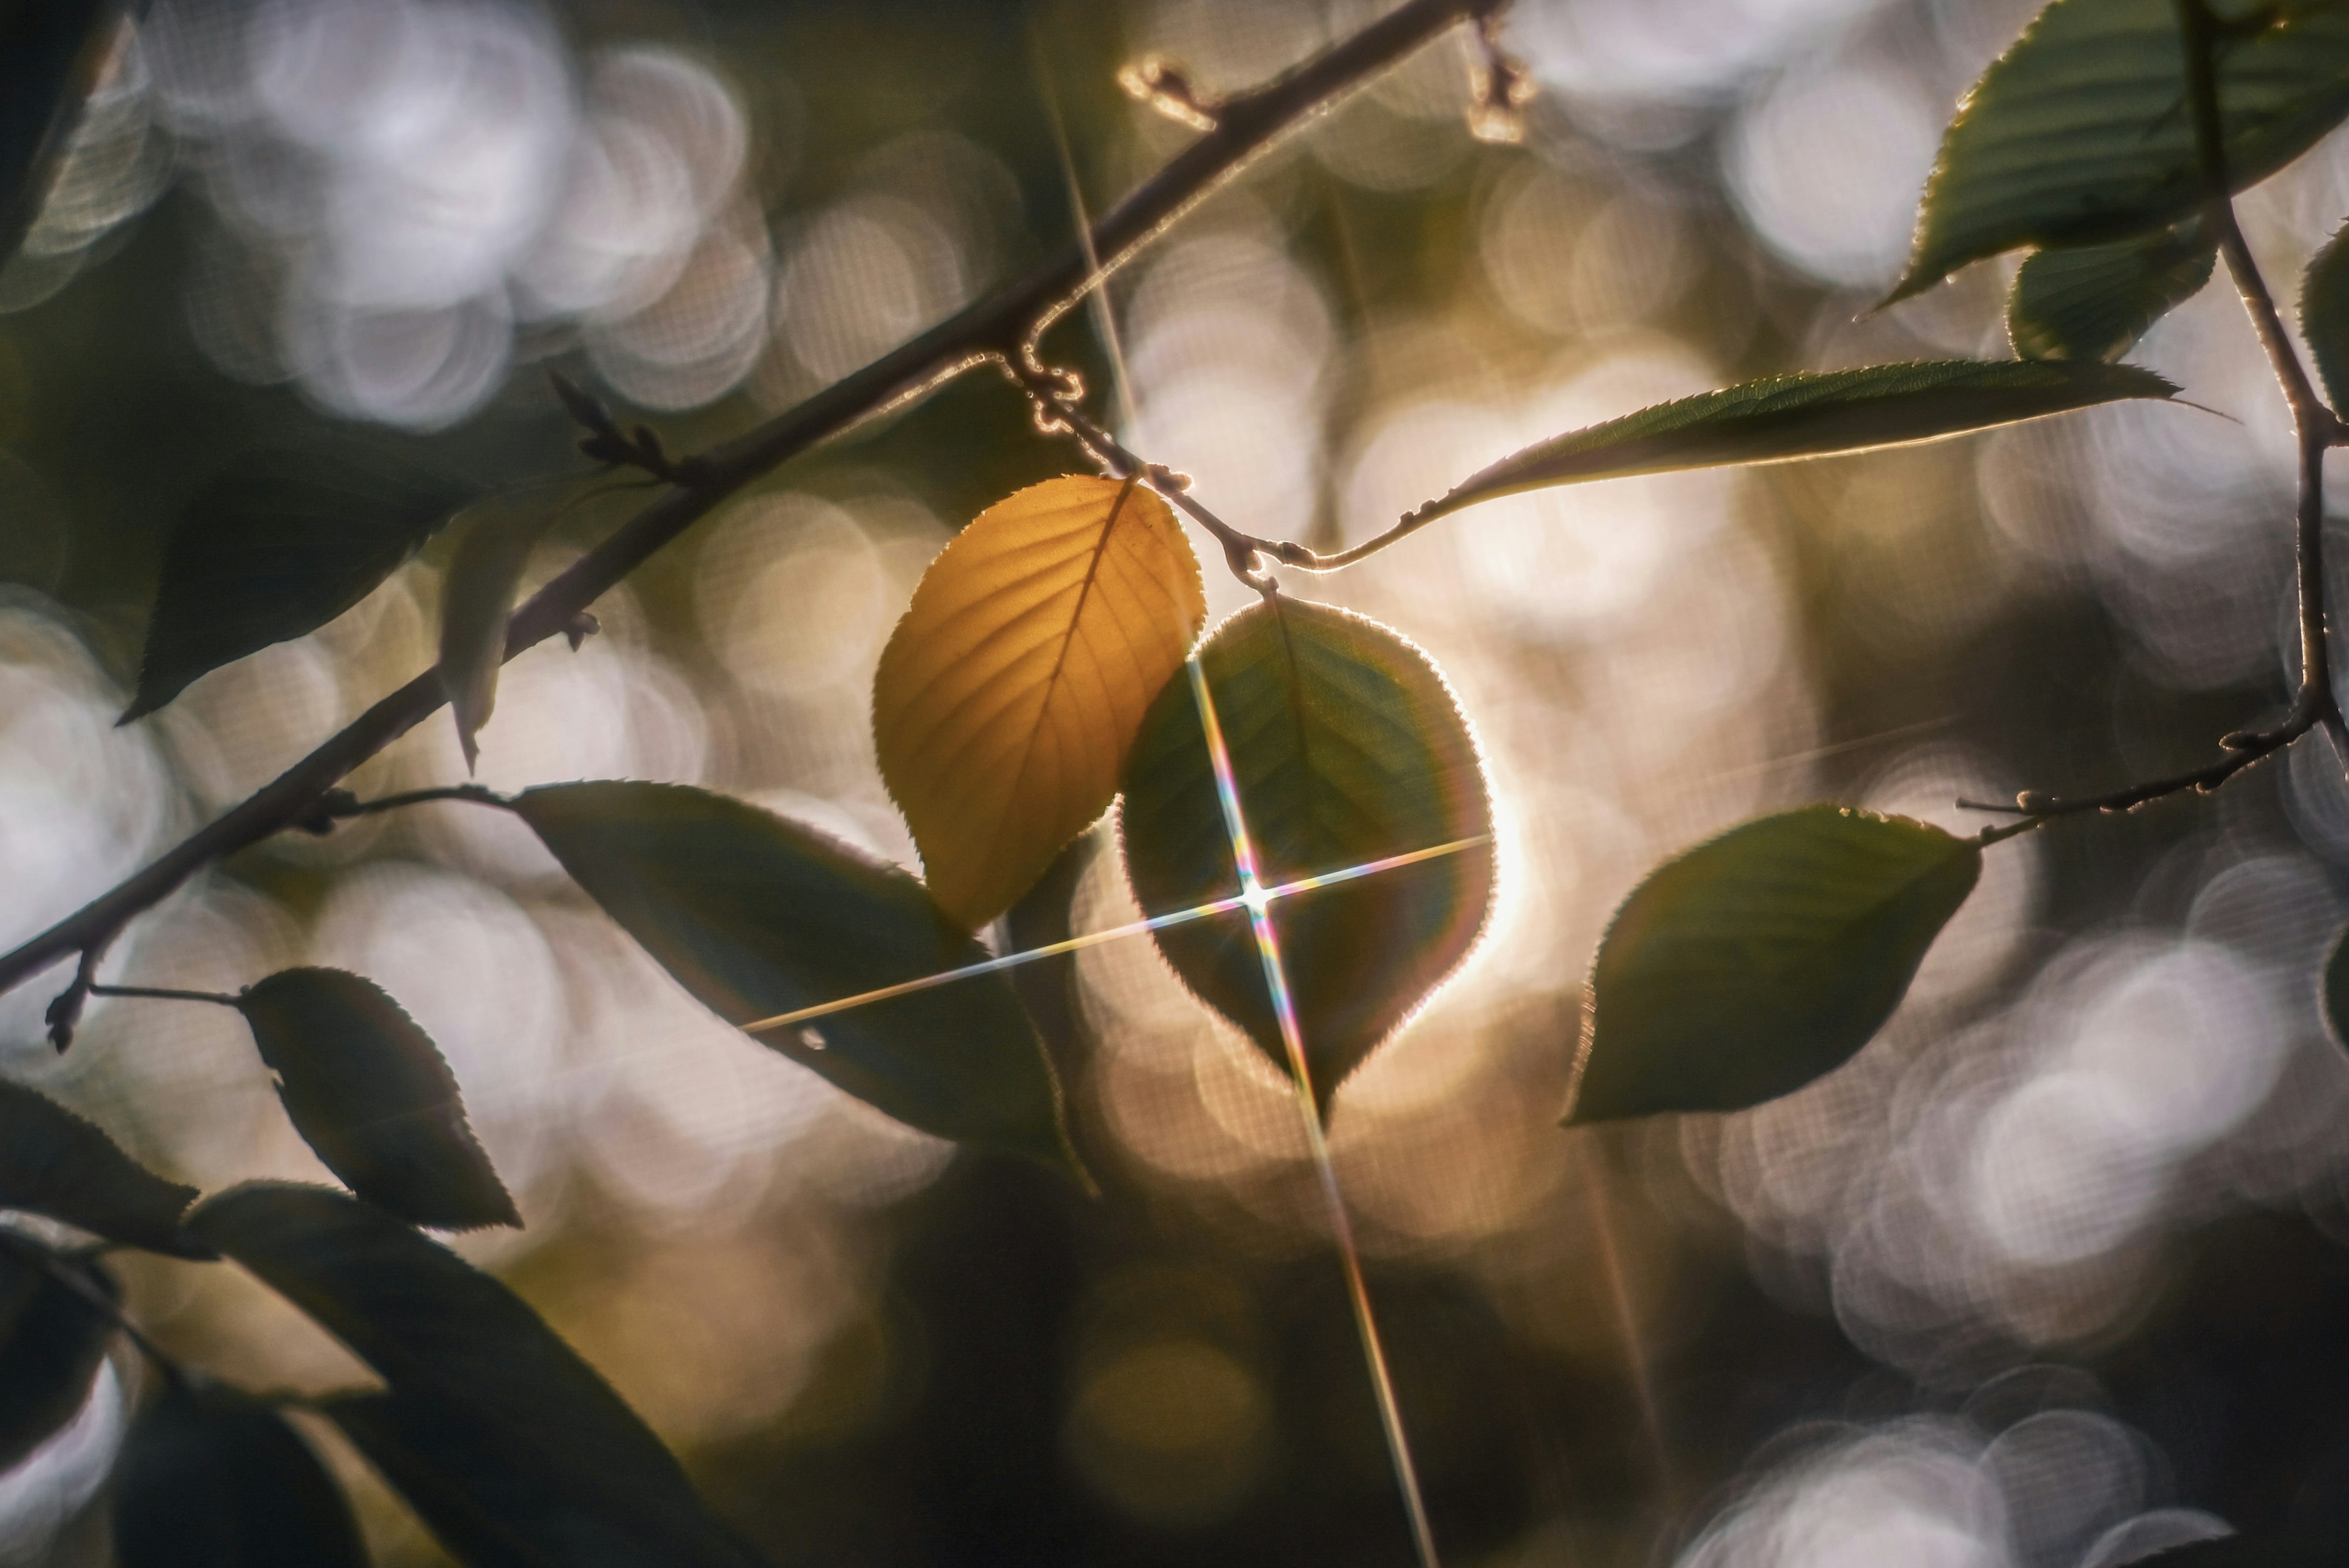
2317, 428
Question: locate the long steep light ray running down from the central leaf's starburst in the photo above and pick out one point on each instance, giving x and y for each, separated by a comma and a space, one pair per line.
1260, 914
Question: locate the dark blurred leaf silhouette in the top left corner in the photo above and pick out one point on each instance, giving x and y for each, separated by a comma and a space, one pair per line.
51, 58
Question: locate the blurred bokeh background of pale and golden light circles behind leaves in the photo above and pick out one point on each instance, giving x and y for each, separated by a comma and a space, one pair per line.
2052, 1276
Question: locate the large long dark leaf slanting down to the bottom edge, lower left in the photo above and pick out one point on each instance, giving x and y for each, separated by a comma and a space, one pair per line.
466, 1351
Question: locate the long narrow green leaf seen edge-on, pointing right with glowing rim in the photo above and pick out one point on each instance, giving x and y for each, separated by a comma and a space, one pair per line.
1812, 414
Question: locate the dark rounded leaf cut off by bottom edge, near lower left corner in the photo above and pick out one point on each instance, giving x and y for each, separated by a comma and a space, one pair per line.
217, 1480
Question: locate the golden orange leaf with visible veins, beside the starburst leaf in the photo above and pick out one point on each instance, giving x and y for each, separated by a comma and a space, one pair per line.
1018, 680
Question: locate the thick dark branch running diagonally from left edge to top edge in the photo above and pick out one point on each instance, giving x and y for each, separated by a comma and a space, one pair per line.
992, 330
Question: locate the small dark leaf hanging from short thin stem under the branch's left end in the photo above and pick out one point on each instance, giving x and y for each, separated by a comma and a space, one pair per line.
372, 1095
